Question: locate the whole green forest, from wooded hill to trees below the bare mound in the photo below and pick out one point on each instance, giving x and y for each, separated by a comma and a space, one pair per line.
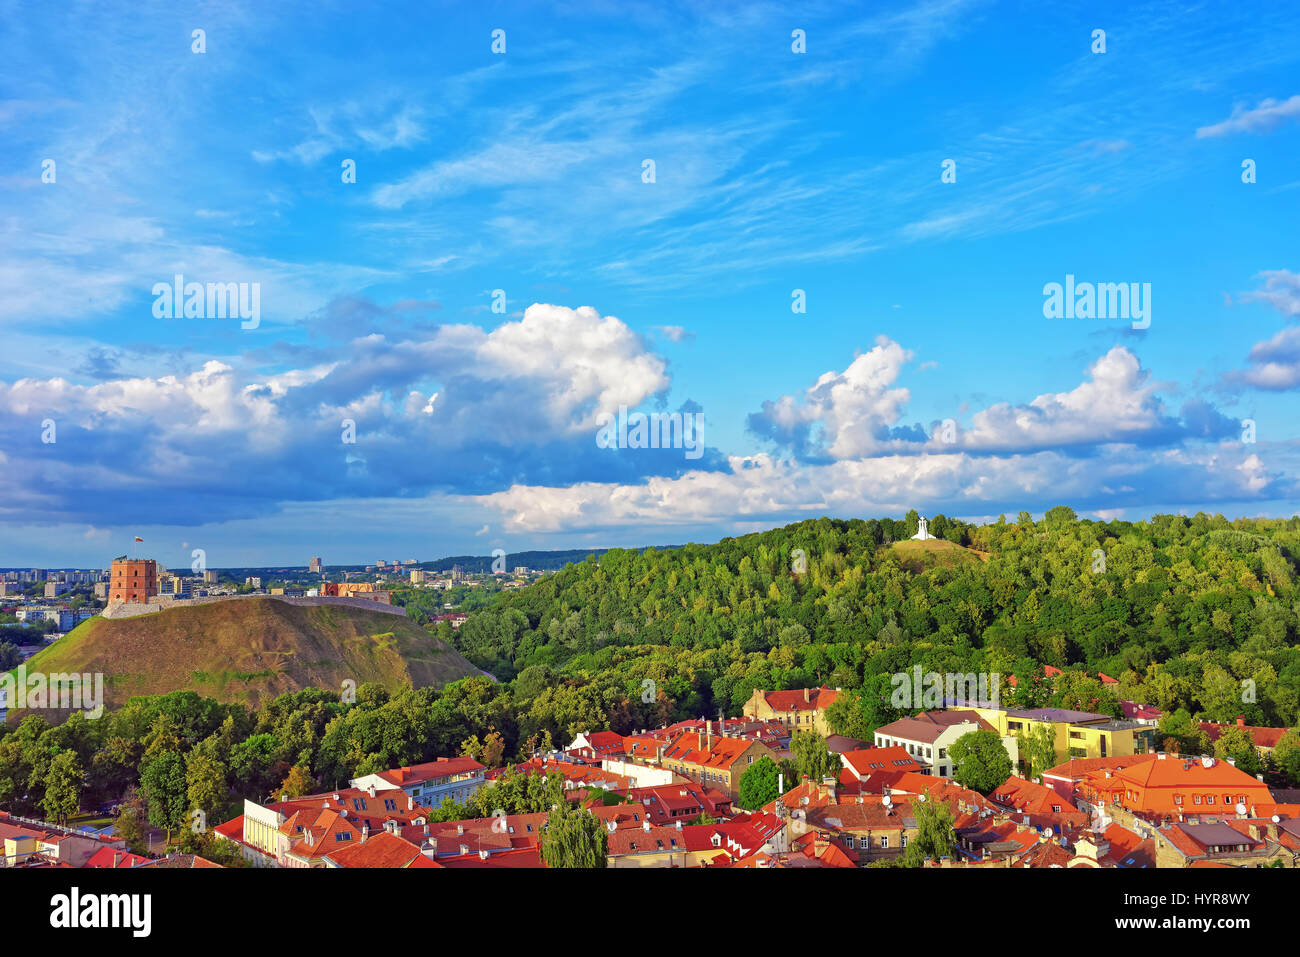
1194, 616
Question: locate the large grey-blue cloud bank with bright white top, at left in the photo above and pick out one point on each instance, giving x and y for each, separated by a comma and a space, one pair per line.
454, 409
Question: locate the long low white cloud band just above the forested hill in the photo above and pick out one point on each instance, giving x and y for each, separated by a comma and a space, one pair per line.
765, 490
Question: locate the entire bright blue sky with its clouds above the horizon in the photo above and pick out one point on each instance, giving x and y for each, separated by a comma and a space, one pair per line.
523, 172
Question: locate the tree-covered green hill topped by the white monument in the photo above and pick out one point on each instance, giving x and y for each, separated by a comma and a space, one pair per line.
1181, 609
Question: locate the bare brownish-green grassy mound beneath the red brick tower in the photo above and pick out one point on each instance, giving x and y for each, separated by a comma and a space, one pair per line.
249, 649
